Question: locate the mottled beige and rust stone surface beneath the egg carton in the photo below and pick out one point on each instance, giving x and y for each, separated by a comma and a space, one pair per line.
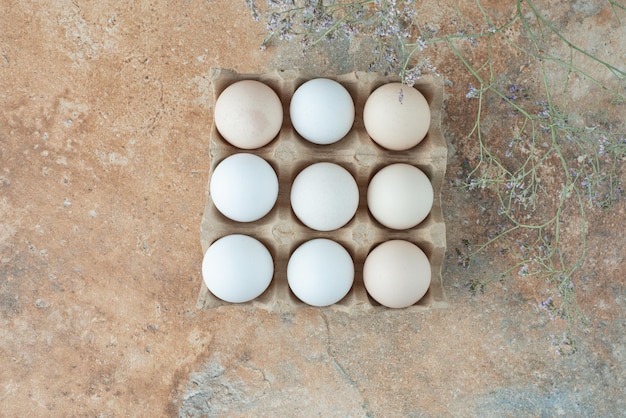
104, 122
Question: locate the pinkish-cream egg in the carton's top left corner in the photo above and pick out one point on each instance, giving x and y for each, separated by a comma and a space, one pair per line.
248, 114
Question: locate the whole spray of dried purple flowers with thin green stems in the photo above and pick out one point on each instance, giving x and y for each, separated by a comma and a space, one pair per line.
581, 163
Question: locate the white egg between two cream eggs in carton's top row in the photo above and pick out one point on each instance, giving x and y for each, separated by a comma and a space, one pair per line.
322, 111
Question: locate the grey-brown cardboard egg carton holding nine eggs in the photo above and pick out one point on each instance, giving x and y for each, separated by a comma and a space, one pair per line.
280, 230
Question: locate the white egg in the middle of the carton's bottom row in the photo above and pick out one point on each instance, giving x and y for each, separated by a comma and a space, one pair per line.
320, 272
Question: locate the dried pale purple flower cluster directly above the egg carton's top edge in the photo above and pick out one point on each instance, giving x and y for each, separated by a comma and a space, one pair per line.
388, 24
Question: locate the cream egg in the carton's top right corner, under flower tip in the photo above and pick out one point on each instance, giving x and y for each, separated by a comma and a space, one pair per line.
396, 116
